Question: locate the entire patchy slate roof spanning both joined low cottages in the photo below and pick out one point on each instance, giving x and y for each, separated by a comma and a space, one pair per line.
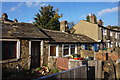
27, 30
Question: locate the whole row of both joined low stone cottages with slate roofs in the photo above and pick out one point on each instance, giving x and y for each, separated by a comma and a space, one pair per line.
26, 46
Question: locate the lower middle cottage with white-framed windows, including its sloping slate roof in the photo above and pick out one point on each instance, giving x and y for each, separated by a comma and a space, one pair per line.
63, 44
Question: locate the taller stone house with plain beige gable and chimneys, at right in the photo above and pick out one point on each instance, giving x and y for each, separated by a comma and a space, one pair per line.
106, 36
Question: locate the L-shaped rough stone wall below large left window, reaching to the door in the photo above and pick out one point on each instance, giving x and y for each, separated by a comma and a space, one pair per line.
24, 57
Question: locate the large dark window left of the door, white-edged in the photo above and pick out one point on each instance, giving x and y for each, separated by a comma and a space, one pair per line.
9, 49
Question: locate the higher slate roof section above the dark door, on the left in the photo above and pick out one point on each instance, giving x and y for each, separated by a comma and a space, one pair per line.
21, 30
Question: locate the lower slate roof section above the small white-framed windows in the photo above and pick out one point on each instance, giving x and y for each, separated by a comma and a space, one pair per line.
63, 37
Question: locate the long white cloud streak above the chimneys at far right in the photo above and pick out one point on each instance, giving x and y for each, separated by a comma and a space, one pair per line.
108, 10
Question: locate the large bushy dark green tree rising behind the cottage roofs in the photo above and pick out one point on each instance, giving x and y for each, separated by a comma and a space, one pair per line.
47, 18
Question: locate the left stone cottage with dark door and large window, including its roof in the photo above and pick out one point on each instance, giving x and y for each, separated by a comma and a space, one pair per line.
22, 45
